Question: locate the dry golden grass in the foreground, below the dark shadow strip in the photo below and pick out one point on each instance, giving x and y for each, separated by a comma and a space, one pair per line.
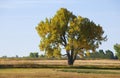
49, 73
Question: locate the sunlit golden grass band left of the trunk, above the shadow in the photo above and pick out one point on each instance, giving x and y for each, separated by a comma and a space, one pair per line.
42, 62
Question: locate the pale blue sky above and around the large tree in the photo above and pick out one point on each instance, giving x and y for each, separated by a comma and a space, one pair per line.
18, 19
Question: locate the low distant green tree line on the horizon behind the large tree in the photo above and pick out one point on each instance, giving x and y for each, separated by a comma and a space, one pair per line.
87, 55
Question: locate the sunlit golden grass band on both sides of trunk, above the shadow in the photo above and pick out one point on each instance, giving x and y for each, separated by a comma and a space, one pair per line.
60, 62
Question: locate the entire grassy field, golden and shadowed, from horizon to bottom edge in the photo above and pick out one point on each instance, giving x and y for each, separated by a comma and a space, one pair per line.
60, 69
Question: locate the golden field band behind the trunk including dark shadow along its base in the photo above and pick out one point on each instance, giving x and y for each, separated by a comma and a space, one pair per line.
59, 63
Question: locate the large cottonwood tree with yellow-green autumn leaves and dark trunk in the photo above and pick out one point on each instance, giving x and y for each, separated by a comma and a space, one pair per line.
73, 33
